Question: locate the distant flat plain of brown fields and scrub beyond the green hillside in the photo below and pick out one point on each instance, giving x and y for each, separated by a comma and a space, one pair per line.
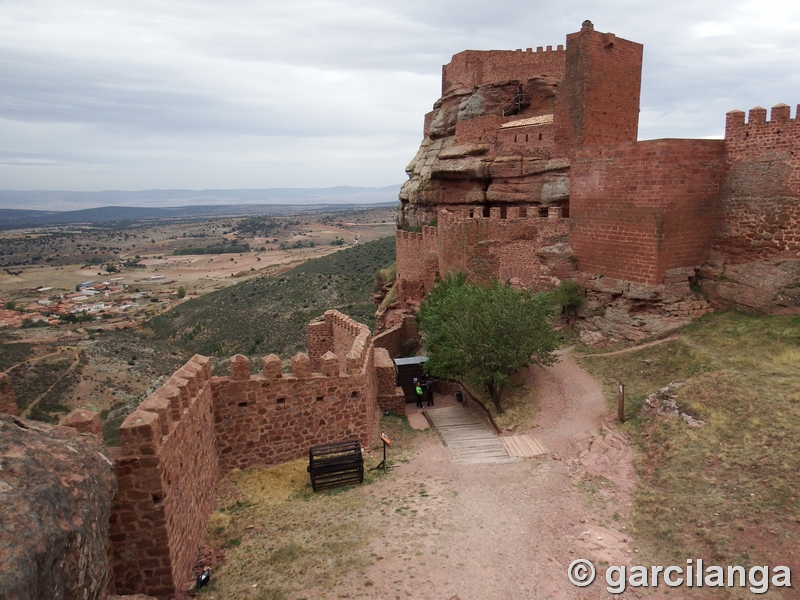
61, 257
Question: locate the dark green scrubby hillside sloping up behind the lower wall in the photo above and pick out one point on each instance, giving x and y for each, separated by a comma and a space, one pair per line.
269, 314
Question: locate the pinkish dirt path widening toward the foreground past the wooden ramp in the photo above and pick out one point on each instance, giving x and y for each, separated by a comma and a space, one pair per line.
510, 530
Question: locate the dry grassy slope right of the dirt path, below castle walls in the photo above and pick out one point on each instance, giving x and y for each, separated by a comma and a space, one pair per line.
728, 491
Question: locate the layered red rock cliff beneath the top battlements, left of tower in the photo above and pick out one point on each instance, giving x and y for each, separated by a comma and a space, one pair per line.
488, 145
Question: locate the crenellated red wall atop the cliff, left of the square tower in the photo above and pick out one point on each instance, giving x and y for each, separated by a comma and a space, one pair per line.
478, 67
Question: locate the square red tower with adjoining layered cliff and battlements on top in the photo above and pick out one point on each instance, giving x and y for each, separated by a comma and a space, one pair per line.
507, 122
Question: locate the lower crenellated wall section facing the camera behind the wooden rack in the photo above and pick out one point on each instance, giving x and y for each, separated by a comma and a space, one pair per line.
273, 417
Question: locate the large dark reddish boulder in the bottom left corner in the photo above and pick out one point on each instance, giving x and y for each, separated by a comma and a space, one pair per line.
56, 487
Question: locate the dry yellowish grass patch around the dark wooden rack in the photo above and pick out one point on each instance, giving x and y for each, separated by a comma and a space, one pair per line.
282, 540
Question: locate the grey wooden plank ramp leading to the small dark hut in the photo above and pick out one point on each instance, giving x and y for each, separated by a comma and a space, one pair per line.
469, 440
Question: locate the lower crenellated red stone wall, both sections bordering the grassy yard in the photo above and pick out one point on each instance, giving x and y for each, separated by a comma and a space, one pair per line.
179, 441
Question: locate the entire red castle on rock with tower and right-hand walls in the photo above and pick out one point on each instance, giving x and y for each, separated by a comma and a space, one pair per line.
530, 171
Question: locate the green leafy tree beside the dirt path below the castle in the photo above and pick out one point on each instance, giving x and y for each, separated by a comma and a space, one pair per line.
485, 334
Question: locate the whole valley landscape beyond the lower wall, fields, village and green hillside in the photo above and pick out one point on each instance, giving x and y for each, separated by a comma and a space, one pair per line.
109, 362
